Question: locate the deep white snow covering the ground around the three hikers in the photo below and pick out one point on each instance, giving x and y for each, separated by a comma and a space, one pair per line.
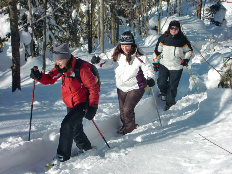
174, 148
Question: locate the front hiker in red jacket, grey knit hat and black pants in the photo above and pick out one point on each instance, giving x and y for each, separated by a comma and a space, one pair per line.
81, 99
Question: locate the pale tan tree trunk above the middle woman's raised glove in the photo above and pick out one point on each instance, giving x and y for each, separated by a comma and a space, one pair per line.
102, 25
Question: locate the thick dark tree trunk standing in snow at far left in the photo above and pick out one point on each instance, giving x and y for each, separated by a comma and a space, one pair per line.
15, 45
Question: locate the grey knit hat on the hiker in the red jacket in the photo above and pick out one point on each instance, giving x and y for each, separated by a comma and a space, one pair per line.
61, 52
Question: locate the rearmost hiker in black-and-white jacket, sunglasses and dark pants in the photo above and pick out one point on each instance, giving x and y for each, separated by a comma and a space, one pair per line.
172, 52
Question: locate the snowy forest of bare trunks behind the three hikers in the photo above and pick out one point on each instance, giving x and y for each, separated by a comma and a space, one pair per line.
84, 23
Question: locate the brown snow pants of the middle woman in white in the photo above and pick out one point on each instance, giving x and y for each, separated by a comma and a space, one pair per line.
127, 103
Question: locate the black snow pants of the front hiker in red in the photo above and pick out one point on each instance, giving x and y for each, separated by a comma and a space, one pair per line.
72, 129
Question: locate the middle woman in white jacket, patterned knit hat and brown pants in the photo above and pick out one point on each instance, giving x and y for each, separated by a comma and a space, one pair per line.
133, 72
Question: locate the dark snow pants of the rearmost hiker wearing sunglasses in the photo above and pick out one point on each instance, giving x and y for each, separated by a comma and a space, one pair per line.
168, 82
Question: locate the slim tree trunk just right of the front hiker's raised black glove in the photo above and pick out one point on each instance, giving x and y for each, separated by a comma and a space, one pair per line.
44, 36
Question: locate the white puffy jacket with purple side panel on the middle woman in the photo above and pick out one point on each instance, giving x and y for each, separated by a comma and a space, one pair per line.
131, 75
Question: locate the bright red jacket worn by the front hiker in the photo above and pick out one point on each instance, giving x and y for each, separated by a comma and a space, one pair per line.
74, 92
